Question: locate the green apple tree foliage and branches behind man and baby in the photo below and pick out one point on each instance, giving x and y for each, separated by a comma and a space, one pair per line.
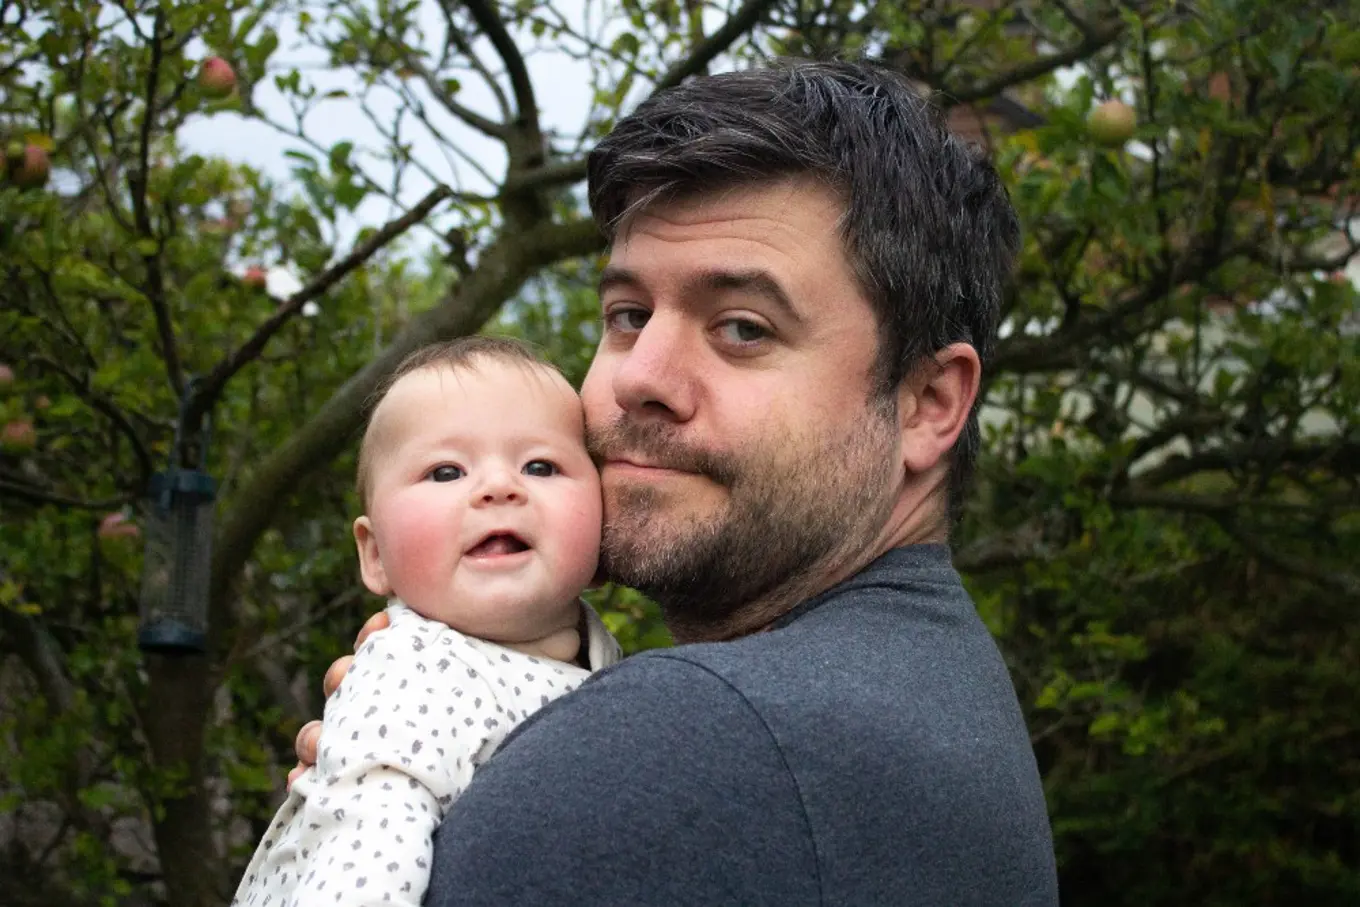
1165, 536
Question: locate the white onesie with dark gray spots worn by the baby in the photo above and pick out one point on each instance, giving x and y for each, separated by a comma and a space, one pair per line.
421, 708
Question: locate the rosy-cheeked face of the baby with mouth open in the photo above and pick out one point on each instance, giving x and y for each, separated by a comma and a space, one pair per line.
483, 507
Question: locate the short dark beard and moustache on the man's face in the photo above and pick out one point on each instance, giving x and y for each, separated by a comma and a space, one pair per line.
796, 511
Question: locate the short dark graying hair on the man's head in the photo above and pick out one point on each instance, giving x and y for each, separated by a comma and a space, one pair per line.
928, 226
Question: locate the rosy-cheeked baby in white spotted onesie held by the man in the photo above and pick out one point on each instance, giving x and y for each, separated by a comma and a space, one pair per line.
482, 523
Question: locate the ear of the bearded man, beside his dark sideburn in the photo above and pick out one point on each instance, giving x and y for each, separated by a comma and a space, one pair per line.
934, 406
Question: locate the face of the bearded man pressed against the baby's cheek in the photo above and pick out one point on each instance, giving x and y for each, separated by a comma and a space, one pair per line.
730, 403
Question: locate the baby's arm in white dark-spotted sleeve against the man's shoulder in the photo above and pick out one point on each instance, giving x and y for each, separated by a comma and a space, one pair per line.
398, 749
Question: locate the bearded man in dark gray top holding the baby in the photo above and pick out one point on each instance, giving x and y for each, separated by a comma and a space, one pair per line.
803, 289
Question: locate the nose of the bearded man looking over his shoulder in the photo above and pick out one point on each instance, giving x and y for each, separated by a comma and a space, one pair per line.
656, 375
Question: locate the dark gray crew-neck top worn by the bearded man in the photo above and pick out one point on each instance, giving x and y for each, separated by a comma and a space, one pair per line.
867, 751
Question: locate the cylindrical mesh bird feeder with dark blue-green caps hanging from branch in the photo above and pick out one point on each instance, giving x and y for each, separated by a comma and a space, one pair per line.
177, 562
